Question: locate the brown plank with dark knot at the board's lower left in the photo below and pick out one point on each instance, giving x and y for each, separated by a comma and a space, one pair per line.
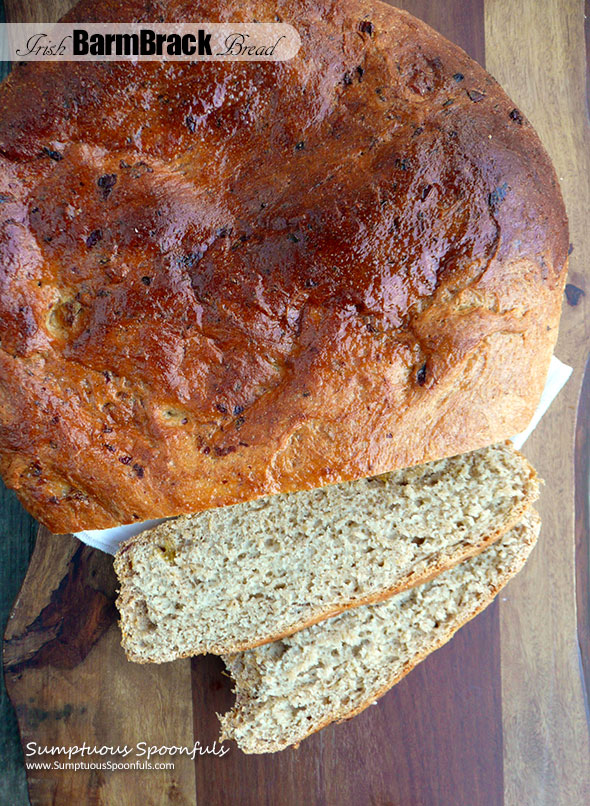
70, 682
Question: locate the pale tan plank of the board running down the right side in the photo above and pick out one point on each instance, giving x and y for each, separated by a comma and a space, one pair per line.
537, 52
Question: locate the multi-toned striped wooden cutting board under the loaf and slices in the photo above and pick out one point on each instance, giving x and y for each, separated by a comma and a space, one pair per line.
495, 718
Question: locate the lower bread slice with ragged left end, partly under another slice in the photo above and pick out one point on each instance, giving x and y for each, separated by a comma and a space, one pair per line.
332, 671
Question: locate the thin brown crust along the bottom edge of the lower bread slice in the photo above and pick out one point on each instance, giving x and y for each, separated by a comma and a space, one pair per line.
529, 541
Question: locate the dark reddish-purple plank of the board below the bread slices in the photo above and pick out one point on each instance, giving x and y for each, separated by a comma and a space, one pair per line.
393, 753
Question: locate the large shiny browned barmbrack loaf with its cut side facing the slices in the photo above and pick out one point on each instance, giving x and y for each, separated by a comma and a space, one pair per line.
222, 281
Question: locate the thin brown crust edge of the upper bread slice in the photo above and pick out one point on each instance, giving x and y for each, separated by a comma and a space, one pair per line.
458, 554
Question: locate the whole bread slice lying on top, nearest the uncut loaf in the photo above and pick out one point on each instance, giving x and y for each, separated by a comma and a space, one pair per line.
237, 577
